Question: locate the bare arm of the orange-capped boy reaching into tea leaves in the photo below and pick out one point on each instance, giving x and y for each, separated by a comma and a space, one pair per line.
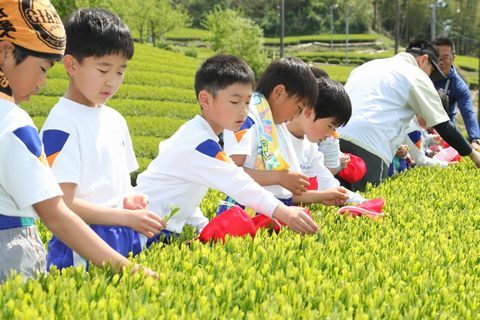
69, 228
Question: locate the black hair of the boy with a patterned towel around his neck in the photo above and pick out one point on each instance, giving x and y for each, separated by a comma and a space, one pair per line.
294, 74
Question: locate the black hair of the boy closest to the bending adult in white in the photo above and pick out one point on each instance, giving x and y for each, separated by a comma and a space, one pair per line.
332, 101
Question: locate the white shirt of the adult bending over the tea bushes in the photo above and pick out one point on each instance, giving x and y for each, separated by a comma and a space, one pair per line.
385, 95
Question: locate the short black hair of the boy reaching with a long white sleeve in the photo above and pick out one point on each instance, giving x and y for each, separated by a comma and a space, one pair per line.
220, 71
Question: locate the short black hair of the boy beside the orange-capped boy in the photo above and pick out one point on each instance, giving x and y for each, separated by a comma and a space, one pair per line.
97, 33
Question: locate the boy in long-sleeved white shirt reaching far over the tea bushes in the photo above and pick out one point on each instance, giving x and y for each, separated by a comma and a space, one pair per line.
191, 161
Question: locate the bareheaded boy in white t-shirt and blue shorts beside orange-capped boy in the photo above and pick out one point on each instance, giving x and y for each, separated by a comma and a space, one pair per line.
88, 144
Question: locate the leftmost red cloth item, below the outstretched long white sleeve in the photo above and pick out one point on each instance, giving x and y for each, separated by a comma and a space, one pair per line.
234, 222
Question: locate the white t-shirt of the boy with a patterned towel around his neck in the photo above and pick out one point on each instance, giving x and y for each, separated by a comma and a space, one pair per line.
248, 146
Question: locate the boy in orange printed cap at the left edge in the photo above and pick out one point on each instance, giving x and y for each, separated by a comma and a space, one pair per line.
27, 186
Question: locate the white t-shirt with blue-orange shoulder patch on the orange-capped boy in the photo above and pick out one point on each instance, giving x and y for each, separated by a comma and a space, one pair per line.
25, 178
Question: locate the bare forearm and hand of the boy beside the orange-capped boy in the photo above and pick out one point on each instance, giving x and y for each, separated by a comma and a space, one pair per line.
143, 221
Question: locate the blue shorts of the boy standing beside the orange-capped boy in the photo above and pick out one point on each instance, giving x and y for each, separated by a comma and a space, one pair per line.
122, 239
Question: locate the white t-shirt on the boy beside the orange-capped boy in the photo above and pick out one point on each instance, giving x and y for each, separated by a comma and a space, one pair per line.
90, 147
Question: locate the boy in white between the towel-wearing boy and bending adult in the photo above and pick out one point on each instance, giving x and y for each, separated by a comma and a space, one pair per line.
332, 109
